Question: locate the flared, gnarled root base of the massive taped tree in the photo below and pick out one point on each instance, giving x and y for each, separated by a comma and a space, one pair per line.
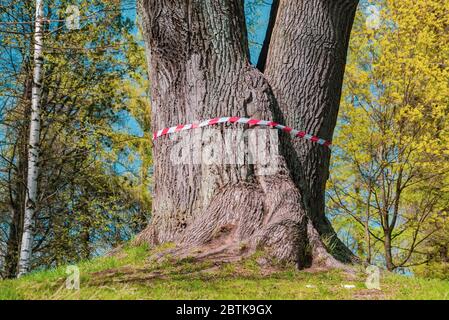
242, 220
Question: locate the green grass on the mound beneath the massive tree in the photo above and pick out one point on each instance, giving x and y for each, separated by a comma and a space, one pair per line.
131, 275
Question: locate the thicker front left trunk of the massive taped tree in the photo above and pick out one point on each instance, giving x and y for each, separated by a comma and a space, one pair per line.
198, 60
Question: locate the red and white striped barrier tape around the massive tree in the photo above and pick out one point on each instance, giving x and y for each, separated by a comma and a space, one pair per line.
252, 122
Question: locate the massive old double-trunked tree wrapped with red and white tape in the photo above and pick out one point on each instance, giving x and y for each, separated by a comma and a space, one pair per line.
197, 53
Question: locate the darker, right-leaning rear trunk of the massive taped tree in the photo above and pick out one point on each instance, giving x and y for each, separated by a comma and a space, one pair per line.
305, 68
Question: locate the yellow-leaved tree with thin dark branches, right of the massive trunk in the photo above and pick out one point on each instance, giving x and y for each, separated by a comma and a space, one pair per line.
391, 177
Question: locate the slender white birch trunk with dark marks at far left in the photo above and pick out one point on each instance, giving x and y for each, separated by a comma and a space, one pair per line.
33, 148
